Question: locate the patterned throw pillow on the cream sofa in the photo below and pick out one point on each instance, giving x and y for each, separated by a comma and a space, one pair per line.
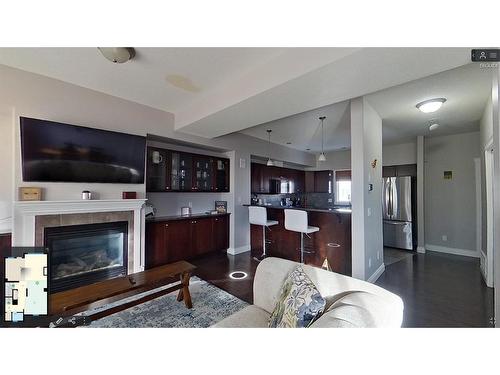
299, 304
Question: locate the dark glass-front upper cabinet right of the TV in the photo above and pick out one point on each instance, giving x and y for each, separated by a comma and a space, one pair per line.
177, 171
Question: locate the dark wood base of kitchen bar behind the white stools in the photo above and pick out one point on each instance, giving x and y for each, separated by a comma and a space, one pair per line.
331, 246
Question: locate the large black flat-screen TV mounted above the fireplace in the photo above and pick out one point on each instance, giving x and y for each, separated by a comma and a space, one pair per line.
56, 152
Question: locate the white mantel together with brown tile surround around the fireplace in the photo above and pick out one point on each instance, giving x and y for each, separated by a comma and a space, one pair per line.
31, 219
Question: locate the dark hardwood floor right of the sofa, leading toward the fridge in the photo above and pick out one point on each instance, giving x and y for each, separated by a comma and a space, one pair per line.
440, 290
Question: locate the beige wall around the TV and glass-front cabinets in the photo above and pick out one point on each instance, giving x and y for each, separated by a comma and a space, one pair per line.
27, 94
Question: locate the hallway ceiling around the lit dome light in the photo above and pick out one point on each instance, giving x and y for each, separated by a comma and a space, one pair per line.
466, 90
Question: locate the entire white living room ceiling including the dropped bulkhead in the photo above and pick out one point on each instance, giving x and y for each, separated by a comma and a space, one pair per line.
231, 89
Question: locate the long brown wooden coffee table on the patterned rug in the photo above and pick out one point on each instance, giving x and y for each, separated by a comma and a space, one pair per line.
87, 297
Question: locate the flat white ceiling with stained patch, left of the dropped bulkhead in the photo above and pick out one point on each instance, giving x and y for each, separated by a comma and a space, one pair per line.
143, 79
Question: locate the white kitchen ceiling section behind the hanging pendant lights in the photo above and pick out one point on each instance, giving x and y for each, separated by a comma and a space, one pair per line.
304, 130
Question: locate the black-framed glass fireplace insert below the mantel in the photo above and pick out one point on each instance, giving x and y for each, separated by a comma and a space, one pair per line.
85, 254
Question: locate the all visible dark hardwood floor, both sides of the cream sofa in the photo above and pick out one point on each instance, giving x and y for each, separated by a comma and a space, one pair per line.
438, 290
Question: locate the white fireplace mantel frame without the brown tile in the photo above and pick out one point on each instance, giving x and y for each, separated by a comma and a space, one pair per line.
23, 233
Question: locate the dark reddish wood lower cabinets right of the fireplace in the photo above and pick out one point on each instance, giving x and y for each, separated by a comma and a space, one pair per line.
171, 240
